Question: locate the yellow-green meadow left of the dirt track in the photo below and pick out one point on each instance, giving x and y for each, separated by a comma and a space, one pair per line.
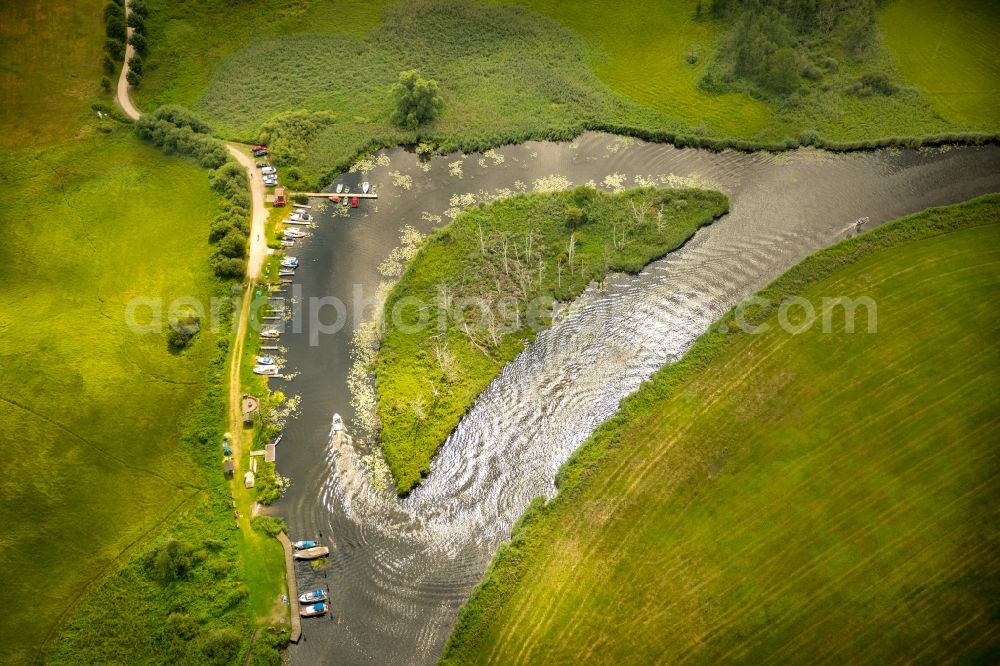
107, 452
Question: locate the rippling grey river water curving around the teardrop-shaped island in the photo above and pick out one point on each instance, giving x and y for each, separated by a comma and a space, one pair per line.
400, 569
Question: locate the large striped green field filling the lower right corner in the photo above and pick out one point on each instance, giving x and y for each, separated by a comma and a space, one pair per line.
778, 497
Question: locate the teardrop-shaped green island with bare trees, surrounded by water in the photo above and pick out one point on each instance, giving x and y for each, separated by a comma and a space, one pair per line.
482, 286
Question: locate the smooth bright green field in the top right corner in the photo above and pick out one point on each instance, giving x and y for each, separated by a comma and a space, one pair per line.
948, 50
